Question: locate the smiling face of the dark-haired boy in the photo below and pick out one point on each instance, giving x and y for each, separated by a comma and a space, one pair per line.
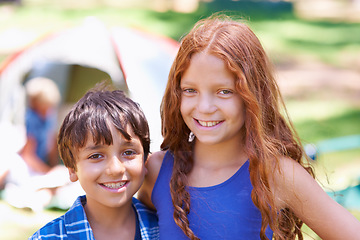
110, 174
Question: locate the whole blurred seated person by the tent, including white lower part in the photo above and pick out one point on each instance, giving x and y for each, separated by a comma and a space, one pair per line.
34, 173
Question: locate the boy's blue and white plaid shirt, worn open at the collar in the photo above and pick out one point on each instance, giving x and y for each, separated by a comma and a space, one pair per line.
74, 224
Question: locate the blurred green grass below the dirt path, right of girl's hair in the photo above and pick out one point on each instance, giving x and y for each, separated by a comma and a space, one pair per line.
319, 121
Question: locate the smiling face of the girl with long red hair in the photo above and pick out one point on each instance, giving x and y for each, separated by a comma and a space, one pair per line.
210, 105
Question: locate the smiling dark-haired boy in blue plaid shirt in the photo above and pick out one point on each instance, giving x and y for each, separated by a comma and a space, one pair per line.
104, 142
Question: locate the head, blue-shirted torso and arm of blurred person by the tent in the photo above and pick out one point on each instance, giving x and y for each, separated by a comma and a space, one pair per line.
40, 152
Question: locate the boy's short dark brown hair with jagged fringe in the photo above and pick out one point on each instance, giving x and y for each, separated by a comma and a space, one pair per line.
89, 117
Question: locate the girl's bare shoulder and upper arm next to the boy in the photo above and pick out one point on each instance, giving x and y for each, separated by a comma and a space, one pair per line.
153, 165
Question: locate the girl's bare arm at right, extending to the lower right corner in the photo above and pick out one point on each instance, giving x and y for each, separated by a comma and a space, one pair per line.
297, 190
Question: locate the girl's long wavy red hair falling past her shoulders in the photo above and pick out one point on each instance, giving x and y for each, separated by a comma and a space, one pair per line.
269, 133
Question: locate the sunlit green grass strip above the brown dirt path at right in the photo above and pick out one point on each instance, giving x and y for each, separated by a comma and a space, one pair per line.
324, 41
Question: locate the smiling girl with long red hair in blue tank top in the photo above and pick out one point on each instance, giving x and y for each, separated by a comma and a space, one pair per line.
234, 167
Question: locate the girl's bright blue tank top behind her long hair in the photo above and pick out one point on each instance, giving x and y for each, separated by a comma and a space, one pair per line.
223, 211
